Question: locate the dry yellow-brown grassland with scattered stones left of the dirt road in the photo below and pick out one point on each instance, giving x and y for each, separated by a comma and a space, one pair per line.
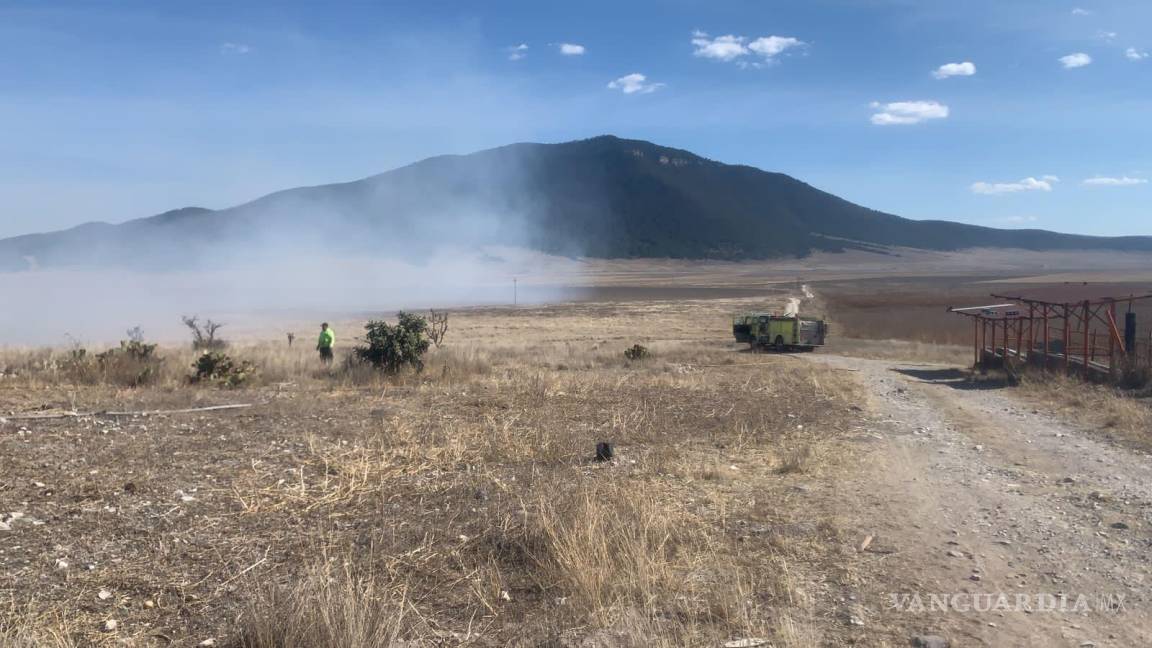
459, 507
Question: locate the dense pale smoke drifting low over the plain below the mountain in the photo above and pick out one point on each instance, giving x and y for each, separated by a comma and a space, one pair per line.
56, 307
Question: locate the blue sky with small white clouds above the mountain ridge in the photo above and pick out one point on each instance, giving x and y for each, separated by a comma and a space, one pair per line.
111, 111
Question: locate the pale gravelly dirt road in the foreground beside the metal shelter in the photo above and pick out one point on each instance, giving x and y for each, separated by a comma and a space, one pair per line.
994, 524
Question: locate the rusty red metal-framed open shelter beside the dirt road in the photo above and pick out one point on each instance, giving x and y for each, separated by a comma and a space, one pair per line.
1077, 329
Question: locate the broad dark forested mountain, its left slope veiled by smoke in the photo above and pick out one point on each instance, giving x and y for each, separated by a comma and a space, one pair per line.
602, 198
